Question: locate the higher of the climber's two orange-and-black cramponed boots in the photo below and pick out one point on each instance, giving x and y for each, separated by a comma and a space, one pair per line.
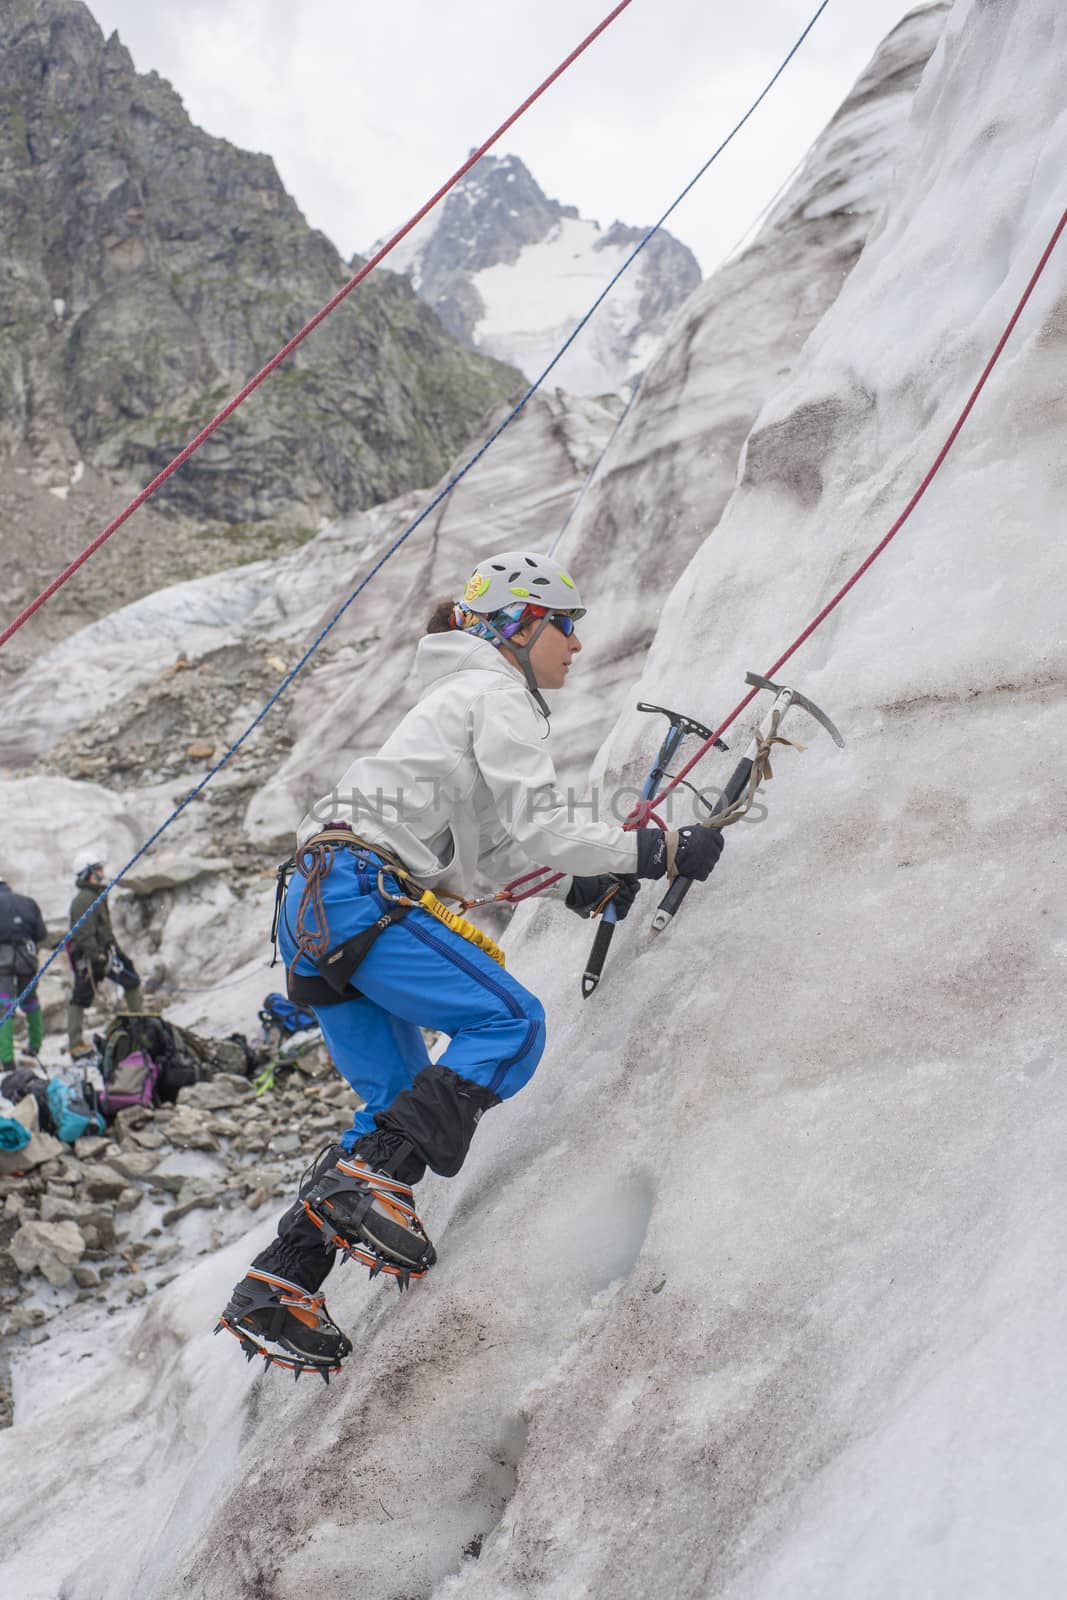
369, 1214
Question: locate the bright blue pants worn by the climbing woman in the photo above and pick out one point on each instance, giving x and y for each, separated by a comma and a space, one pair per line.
418, 974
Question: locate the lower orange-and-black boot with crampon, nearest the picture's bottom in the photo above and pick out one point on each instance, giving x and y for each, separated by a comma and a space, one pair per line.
286, 1324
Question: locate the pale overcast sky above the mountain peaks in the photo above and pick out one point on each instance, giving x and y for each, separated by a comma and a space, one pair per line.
369, 108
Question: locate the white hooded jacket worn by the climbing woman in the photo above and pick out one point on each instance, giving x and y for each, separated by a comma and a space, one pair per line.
465, 788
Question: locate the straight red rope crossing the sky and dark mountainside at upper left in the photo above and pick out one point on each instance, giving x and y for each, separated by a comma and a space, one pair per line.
298, 338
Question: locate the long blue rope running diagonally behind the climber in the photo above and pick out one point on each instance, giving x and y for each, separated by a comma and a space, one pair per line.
420, 519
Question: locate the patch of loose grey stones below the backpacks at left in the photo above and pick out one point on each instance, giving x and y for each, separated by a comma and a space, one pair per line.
106, 1220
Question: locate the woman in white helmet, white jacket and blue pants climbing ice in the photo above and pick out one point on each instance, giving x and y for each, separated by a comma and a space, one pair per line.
463, 791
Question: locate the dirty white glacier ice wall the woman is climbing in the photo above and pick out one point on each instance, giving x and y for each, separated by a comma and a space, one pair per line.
757, 1290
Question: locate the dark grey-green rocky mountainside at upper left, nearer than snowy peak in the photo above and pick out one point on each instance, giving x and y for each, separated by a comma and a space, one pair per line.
148, 271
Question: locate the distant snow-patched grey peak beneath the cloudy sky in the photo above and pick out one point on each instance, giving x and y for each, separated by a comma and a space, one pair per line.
511, 271
